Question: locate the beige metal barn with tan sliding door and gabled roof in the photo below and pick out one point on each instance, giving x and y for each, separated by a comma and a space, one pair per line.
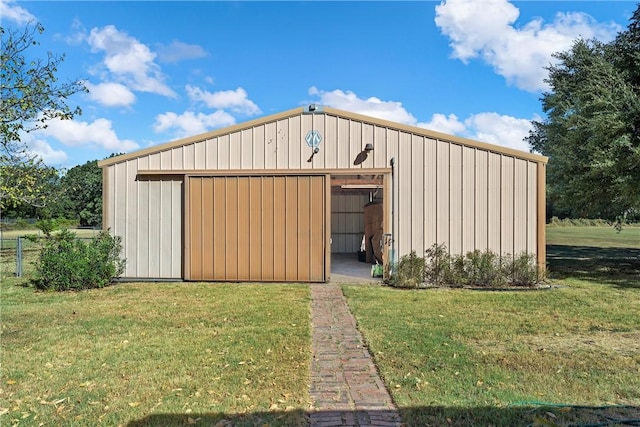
271, 199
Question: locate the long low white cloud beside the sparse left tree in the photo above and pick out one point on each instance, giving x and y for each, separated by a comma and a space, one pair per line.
98, 133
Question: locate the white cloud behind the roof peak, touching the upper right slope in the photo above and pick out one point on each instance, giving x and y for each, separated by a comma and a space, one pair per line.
374, 107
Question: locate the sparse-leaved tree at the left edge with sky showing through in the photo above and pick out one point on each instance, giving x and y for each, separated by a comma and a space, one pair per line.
31, 96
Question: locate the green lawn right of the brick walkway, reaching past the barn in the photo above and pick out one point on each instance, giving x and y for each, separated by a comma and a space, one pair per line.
463, 357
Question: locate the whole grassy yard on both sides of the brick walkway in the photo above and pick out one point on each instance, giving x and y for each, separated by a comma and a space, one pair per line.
143, 354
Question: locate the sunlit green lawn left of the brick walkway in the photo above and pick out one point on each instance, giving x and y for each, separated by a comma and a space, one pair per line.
155, 354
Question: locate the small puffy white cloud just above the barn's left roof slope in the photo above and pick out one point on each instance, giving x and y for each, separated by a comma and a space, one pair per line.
190, 123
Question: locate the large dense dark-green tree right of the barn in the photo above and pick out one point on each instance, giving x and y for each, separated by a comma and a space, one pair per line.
592, 130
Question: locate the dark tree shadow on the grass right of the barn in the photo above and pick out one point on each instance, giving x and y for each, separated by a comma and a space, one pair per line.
614, 266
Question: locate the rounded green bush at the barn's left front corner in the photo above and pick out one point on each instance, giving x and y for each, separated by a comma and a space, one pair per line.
68, 263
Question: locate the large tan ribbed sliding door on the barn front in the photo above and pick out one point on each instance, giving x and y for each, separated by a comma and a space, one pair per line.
248, 228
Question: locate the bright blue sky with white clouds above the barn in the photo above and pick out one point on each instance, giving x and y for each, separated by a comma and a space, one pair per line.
159, 71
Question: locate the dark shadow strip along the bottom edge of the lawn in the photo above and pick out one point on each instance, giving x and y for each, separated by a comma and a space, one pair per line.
420, 416
